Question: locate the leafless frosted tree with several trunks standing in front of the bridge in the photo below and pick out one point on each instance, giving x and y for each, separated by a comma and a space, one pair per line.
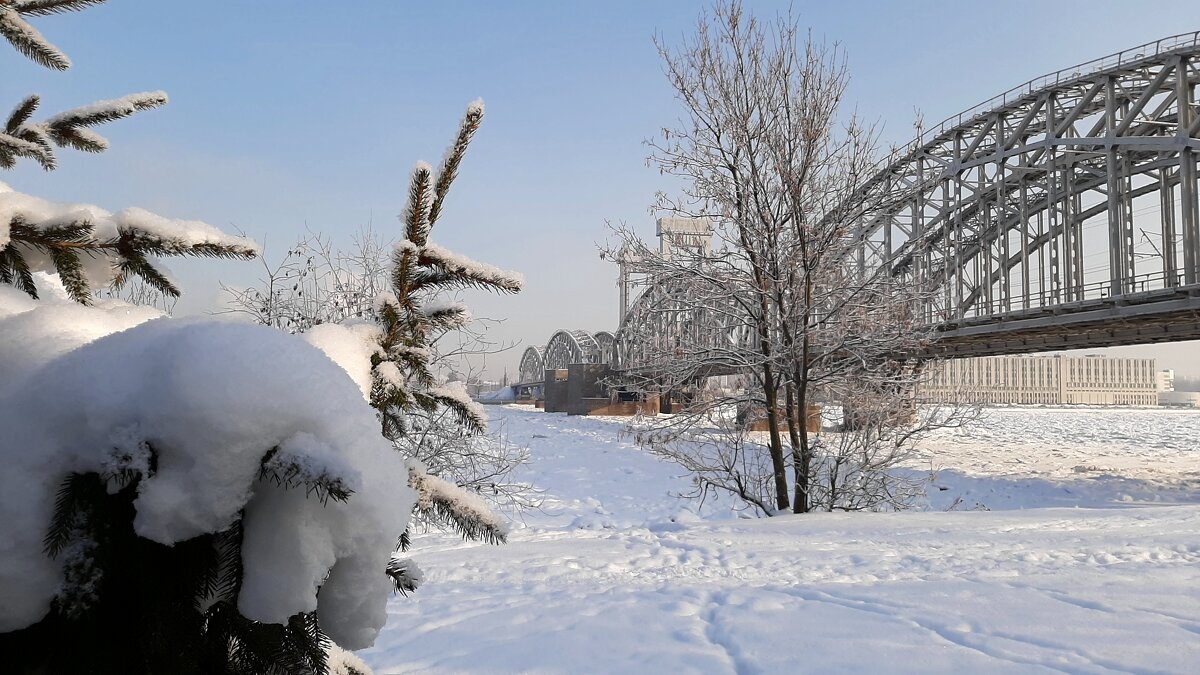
769, 157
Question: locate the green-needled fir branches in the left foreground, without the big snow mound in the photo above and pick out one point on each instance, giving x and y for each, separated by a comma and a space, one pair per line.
131, 605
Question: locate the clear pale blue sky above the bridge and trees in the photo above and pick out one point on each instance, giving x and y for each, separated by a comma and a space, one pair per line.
295, 115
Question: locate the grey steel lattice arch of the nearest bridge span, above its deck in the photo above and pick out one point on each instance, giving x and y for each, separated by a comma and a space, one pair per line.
989, 207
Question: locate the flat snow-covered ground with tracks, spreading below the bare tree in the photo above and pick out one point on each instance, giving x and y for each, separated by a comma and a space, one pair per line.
1088, 561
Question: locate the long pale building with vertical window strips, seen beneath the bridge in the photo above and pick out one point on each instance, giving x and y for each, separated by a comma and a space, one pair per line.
1051, 380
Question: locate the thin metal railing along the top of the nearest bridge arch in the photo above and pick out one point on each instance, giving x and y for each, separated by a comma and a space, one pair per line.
1150, 50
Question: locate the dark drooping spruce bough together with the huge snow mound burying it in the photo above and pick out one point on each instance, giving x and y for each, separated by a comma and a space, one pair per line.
205, 471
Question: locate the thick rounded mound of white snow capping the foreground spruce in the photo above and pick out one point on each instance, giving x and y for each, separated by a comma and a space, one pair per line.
212, 402
